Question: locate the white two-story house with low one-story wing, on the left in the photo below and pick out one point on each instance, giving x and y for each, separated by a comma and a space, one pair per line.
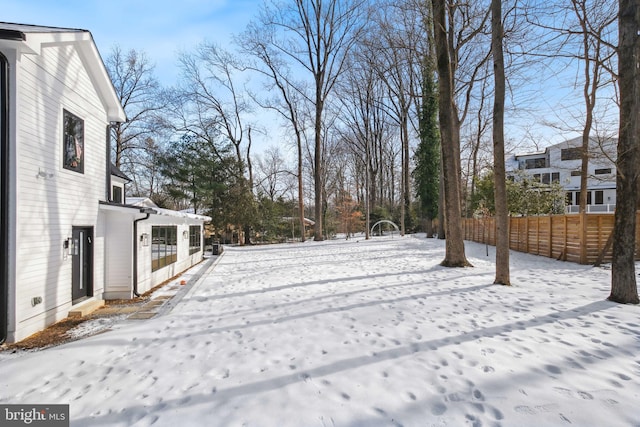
66, 241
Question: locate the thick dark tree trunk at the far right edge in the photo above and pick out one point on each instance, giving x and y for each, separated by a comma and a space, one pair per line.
623, 277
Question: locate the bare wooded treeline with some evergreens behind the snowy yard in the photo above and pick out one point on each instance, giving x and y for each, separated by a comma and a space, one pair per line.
351, 111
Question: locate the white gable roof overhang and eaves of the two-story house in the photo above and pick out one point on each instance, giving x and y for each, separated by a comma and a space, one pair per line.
30, 39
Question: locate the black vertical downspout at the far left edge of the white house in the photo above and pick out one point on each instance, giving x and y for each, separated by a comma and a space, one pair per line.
4, 197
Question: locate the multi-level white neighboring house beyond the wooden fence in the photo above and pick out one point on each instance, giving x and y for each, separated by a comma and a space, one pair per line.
562, 162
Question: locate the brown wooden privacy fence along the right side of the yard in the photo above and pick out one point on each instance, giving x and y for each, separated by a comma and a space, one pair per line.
553, 236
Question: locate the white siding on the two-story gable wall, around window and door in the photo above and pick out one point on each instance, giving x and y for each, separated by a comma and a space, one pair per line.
51, 199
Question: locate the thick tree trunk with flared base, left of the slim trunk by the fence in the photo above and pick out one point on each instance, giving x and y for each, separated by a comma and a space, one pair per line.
454, 244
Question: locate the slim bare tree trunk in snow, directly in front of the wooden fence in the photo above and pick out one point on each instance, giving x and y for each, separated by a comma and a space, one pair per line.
500, 187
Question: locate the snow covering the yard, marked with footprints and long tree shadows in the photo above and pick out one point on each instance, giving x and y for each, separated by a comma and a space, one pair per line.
355, 333
